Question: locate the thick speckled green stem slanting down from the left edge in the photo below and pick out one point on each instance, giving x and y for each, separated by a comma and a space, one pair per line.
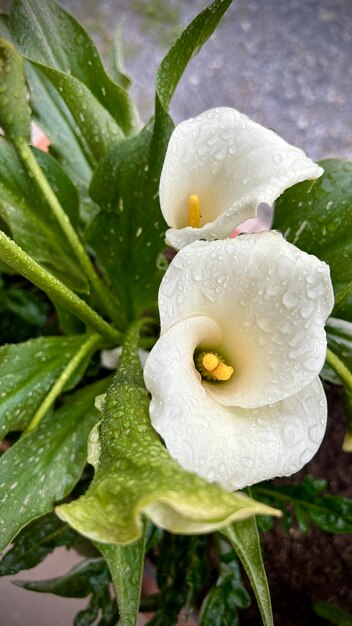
20, 261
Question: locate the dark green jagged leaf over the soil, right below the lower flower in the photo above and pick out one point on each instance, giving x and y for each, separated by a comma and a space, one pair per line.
330, 513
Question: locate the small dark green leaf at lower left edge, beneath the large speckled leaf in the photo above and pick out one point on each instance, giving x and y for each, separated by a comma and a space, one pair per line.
35, 542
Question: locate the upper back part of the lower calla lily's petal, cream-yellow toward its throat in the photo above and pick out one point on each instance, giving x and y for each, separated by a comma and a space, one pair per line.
270, 301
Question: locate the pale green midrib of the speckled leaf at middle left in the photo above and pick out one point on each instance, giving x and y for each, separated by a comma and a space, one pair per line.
91, 343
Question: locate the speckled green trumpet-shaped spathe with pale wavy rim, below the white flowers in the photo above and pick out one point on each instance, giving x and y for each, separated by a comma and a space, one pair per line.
134, 474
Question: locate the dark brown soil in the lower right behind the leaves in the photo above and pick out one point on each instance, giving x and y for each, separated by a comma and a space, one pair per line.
304, 569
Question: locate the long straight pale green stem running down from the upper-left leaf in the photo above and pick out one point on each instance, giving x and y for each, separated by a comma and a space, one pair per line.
98, 286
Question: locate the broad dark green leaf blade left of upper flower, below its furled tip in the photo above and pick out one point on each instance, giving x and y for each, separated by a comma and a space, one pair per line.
125, 185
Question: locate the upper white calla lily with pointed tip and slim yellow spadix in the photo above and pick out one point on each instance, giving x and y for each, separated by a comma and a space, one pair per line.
218, 168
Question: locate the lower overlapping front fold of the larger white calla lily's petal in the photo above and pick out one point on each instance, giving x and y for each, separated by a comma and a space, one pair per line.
232, 446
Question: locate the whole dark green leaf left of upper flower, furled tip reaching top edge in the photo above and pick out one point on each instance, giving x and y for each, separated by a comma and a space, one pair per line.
129, 231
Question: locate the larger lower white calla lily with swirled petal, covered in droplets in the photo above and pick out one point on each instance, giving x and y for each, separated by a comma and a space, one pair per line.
261, 304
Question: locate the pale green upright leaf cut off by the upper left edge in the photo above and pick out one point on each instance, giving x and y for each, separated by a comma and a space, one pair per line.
14, 110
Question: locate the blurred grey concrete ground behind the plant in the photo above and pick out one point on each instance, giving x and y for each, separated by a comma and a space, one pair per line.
287, 64
